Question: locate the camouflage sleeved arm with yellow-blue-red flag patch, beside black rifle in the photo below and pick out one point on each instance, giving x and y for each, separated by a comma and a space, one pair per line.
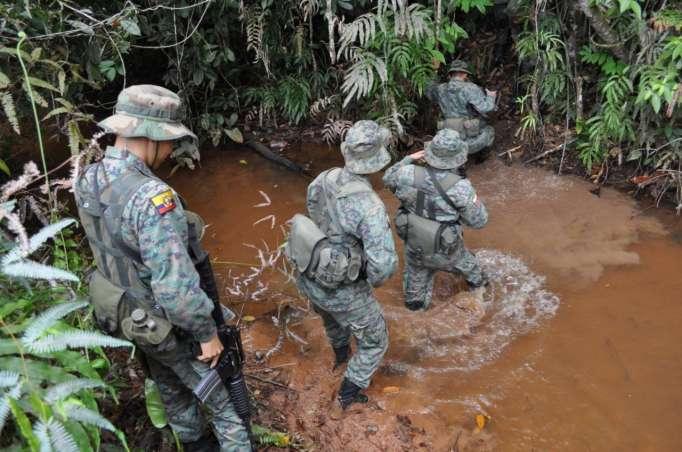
162, 239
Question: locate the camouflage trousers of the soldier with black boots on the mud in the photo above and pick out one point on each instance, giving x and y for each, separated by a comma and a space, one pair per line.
367, 325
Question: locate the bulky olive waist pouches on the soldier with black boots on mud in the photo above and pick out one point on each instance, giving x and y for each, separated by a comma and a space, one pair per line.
317, 257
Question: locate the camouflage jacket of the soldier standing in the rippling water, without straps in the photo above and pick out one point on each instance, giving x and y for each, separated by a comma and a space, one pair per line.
470, 210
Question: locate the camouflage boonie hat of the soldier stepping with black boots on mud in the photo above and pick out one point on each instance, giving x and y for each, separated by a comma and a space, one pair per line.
364, 148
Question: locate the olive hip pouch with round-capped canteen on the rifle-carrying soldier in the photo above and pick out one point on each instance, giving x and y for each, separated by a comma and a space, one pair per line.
151, 332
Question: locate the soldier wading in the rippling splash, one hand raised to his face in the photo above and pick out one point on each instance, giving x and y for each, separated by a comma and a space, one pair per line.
452, 203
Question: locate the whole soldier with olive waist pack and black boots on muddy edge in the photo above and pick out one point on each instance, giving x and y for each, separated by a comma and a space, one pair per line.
343, 250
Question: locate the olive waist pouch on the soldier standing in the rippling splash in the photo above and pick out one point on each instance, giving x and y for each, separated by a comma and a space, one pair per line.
426, 238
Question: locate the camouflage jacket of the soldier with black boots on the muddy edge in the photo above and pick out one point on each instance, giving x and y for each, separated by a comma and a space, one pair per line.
363, 218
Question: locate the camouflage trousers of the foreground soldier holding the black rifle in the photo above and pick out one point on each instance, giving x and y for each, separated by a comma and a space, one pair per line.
174, 379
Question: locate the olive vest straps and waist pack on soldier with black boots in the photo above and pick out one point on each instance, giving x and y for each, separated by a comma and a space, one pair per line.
332, 258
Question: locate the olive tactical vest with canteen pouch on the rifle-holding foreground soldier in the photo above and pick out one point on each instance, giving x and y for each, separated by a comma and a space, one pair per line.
116, 290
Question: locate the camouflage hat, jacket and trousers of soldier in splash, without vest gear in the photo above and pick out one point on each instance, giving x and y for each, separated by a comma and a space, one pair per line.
400, 179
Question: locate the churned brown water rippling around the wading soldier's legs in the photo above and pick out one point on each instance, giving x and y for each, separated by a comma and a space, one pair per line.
465, 331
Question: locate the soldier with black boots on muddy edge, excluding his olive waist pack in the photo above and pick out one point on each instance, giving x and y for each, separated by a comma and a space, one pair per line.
359, 215
